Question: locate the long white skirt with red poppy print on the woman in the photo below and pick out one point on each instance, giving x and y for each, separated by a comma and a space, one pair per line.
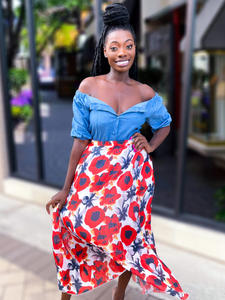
104, 228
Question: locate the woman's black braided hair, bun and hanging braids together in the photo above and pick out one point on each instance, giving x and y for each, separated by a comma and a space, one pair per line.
115, 17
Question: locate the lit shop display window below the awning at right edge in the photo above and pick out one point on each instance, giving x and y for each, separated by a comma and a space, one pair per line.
207, 112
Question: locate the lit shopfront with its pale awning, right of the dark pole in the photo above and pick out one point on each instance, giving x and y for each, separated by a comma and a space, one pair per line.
207, 110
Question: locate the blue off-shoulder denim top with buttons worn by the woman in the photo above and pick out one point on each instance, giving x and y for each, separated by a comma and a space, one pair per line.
94, 119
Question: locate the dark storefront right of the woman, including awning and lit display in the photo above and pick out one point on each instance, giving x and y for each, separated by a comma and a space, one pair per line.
205, 153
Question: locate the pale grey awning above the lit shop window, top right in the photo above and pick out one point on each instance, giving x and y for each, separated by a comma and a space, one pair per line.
209, 29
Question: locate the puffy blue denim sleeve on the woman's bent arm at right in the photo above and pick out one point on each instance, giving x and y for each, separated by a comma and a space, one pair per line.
158, 116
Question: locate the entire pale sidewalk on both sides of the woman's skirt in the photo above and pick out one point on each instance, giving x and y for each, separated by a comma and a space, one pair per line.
27, 268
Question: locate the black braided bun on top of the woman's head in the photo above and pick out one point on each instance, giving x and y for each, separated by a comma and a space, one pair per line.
115, 14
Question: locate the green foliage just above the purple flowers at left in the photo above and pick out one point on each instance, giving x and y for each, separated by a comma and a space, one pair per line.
17, 78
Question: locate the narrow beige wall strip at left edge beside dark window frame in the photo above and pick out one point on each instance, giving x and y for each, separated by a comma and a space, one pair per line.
4, 168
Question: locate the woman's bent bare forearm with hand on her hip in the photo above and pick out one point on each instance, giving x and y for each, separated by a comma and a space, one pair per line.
159, 136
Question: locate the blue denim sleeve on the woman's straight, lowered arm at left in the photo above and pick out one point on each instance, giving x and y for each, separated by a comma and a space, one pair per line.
81, 117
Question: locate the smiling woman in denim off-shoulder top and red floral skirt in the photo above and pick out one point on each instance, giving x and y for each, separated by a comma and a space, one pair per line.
102, 216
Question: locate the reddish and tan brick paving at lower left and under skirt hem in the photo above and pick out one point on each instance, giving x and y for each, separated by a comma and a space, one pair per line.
28, 273
